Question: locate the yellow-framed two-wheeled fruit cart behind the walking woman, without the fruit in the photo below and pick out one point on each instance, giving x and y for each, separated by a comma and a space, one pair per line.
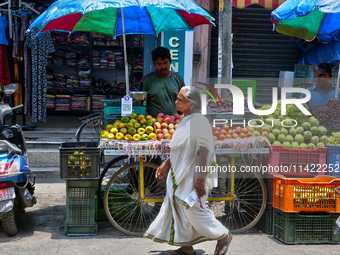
132, 197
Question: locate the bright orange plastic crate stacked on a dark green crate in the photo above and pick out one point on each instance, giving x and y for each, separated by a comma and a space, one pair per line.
306, 194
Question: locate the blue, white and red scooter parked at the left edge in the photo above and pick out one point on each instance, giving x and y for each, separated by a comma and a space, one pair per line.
16, 179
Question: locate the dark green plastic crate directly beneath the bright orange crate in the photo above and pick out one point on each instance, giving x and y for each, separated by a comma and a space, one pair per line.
294, 228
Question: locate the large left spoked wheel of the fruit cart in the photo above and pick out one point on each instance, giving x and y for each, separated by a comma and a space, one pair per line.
122, 203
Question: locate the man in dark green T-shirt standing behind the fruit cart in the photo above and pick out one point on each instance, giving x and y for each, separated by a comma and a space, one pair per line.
162, 85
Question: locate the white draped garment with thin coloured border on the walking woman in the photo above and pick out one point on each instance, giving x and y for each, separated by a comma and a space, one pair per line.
177, 223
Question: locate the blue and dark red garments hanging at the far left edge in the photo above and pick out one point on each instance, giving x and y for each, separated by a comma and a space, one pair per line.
5, 77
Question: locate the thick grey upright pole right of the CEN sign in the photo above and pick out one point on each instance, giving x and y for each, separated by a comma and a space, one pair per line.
224, 45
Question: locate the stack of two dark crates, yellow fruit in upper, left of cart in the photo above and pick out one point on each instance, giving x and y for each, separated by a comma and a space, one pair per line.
79, 166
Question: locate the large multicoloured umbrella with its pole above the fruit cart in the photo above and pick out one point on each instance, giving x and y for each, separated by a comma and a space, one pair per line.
120, 17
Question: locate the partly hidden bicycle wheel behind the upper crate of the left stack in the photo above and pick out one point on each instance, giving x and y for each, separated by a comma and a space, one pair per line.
90, 129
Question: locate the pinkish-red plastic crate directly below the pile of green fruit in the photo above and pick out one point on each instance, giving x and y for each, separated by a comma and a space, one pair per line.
295, 162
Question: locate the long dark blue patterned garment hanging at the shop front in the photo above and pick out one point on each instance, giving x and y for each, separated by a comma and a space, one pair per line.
41, 46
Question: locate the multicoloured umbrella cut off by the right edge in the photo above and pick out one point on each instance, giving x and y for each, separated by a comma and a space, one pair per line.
310, 19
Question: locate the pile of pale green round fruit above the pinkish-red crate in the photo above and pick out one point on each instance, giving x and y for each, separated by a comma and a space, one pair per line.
307, 136
